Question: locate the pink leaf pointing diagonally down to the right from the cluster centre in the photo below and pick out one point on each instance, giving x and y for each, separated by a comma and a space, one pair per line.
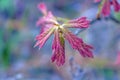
78, 44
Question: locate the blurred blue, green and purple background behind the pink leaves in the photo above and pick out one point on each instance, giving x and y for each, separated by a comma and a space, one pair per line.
19, 60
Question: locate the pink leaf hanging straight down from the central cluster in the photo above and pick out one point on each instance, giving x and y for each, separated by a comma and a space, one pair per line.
58, 50
